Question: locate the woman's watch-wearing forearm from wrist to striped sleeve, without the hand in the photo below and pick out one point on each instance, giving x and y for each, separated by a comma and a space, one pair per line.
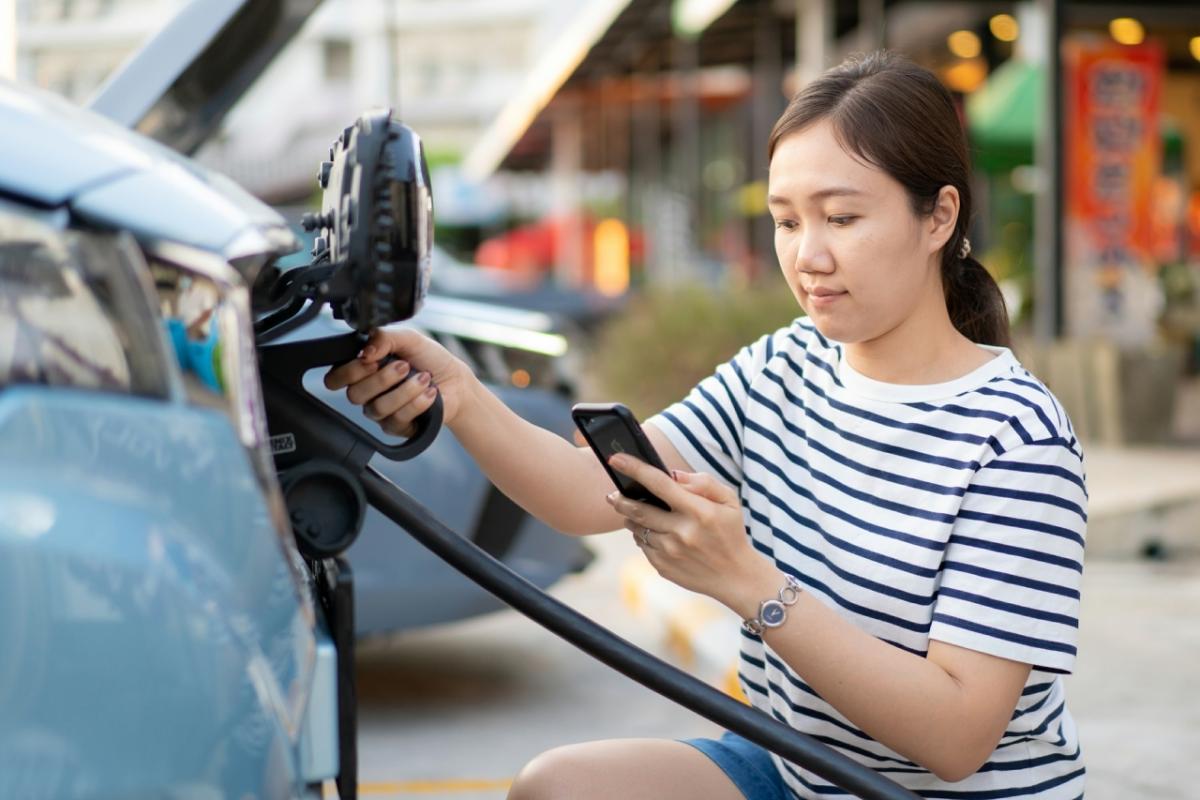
946, 712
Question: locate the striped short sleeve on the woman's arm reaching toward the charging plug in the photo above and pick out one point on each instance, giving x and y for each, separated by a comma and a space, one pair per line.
707, 426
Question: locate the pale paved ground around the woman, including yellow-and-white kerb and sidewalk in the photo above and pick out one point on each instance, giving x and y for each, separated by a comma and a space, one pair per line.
457, 711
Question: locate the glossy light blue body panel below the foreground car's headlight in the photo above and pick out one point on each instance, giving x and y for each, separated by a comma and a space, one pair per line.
155, 643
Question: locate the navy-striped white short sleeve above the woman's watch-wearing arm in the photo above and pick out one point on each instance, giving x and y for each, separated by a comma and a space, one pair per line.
1013, 567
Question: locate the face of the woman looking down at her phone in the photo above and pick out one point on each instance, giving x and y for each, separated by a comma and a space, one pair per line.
855, 256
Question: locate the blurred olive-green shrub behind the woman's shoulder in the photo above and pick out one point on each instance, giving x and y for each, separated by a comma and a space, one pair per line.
670, 339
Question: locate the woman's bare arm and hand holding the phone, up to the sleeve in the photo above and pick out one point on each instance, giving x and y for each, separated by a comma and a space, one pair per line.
945, 712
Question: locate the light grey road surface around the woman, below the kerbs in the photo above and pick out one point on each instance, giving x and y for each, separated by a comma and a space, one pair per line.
455, 712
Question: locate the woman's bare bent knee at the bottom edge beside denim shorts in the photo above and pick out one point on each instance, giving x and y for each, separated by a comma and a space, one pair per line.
627, 769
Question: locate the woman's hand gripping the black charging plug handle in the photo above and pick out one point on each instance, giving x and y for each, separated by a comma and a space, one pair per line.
379, 390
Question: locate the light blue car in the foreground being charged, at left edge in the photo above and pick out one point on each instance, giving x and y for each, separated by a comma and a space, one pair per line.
161, 634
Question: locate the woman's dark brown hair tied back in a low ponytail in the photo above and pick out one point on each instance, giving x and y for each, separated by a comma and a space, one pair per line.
899, 118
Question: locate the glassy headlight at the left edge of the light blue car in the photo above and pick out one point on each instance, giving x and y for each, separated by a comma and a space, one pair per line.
76, 311
